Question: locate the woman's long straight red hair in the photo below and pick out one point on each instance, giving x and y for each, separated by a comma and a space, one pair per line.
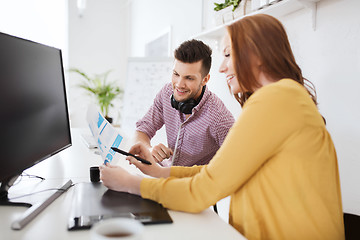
263, 36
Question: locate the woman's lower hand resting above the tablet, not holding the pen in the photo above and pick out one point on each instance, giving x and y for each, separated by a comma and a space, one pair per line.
118, 179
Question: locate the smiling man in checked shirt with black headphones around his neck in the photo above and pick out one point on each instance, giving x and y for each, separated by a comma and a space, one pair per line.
196, 120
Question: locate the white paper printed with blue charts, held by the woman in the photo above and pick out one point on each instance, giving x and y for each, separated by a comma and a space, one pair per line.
105, 135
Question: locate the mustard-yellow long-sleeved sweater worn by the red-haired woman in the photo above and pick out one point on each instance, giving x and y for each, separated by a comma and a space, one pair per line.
279, 165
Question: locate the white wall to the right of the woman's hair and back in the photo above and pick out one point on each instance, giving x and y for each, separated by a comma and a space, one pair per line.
330, 58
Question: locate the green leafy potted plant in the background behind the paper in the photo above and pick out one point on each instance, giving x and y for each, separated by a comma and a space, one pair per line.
105, 92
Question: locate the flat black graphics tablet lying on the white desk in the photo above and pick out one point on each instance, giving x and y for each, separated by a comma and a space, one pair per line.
93, 202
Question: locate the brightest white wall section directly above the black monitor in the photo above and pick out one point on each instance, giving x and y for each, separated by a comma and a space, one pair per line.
40, 21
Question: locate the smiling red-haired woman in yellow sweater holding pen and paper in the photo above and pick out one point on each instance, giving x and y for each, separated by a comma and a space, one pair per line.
278, 162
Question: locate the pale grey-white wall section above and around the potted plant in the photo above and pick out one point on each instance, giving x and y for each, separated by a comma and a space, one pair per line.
98, 42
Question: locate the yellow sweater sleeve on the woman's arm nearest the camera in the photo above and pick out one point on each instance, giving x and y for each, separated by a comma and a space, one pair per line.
267, 119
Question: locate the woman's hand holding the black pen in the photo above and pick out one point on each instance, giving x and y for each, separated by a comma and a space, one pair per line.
154, 169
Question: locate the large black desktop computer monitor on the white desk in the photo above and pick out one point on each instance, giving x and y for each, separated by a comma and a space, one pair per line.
34, 121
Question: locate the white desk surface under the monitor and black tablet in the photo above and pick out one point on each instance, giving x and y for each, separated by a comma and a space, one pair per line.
74, 163
